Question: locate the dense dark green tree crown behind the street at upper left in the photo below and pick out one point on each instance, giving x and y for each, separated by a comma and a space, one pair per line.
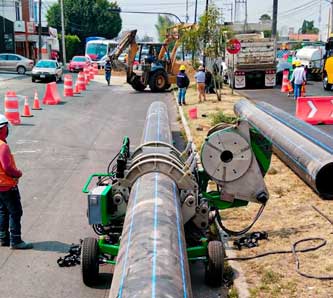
86, 18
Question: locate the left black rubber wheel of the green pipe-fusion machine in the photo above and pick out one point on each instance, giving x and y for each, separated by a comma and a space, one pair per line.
89, 261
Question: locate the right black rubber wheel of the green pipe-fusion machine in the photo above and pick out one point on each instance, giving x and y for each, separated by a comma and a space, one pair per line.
215, 262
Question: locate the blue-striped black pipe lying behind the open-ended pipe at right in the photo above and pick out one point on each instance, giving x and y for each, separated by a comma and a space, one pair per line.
312, 133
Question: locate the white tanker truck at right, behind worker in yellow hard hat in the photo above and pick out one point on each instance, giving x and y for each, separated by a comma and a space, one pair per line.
312, 57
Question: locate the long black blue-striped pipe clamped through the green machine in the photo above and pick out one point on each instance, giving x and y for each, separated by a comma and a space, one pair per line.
152, 259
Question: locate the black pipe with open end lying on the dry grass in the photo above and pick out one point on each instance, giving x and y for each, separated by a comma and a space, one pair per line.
311, 162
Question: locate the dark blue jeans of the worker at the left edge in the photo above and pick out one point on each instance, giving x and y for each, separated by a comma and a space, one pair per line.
10, 216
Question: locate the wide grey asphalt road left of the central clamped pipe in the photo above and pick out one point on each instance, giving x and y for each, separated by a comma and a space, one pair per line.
57, 150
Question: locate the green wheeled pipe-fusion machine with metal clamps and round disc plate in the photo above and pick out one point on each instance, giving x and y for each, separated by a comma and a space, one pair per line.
234, 157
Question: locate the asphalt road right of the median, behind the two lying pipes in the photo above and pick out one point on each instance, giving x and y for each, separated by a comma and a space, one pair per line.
282, 101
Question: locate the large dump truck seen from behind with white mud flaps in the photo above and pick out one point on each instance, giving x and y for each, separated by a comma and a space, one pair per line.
255, 64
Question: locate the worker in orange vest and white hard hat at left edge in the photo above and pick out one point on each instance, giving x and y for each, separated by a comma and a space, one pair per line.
10, 200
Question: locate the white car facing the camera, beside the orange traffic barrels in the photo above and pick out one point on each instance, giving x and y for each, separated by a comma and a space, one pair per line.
47, 70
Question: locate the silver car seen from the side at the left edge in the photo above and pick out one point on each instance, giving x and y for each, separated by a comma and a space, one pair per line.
14, 62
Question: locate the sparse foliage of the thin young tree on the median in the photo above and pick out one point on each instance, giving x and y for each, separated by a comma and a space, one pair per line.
209, 30
